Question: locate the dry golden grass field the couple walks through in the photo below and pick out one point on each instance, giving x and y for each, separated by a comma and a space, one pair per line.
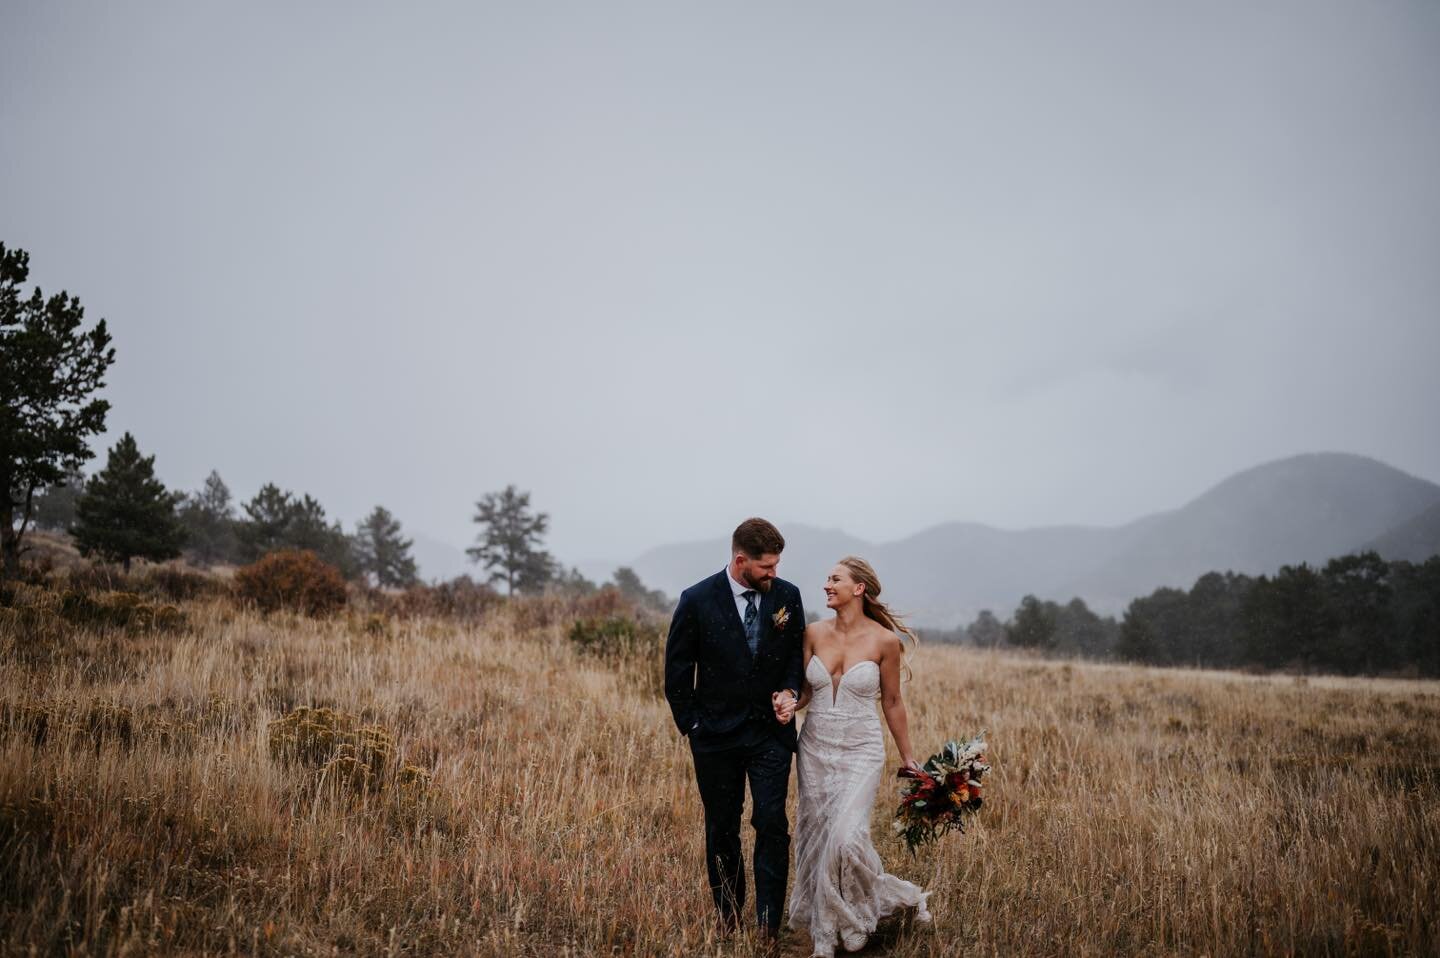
505, 794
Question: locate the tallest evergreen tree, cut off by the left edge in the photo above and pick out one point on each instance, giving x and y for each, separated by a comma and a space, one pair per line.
50, 374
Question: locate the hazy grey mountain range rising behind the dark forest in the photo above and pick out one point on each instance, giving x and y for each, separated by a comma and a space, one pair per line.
1302, 509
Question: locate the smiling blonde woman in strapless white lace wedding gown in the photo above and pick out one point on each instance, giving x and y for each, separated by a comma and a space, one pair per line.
842, 890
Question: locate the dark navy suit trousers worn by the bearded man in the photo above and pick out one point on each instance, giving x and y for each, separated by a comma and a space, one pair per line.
721, 776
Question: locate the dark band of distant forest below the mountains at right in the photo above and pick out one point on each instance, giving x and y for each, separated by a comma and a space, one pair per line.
1356, 616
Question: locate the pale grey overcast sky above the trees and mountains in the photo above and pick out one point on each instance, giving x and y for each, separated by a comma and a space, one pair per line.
852, 264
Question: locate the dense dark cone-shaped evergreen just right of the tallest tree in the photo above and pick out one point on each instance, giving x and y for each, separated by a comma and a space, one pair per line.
126, 512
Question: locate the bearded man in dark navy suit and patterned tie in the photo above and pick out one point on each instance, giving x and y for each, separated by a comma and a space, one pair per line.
732, 679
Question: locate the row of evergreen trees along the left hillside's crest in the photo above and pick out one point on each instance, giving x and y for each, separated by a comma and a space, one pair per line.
51, 370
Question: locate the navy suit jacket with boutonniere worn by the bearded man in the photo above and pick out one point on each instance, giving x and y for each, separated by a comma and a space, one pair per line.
718, 692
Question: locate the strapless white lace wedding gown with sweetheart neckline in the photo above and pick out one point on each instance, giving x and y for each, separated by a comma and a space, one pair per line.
842, 890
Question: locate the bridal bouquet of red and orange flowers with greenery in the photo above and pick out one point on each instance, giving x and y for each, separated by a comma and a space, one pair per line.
937, 799
